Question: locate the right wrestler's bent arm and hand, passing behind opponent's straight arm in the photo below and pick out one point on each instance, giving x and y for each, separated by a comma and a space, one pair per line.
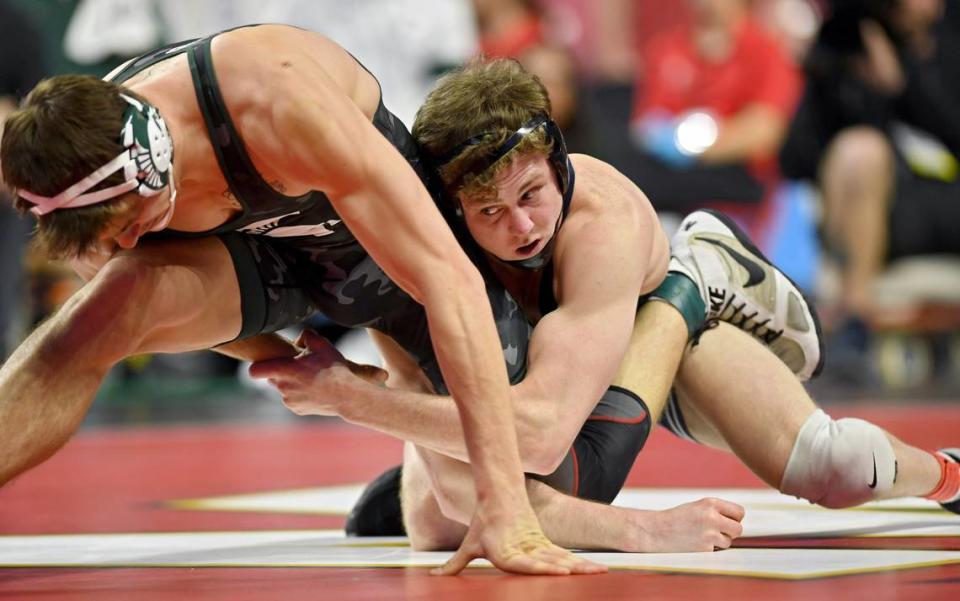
603, 267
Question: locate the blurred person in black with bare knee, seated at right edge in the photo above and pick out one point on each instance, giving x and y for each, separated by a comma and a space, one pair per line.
878, 128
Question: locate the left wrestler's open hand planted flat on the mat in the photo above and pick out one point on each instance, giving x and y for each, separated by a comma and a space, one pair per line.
515, 545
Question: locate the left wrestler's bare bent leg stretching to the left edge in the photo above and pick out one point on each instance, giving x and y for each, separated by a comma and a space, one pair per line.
154, 298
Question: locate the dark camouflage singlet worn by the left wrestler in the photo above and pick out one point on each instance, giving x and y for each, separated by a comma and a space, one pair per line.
294, 255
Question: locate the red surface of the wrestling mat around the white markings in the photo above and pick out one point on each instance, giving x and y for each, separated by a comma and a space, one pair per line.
122, 481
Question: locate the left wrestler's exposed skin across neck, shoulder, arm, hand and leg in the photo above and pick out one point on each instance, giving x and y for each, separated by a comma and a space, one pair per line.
304, 110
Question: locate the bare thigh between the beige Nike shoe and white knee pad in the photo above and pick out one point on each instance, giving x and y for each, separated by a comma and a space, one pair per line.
734, 386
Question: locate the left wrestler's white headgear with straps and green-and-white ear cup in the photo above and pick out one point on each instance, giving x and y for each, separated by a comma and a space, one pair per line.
146, 161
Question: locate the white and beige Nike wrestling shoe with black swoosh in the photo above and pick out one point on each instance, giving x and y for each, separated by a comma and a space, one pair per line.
742, 287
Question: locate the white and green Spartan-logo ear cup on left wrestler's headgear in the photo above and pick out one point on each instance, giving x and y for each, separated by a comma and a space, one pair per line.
145, 135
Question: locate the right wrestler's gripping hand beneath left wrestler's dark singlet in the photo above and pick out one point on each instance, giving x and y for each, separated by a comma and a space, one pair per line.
316, 380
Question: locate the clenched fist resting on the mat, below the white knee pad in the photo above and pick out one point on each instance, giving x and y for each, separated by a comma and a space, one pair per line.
704, 525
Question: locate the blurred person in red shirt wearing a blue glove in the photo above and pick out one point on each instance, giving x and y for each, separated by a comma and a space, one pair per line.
710, 110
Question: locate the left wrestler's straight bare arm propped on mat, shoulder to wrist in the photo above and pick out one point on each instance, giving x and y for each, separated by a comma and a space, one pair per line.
332, 146
